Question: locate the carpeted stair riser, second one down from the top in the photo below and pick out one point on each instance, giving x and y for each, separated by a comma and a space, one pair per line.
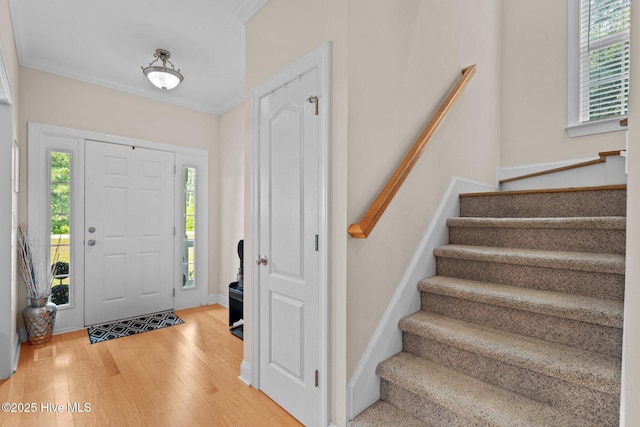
575, 240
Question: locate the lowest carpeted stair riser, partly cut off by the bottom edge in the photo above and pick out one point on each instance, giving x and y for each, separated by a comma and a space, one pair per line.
423, 408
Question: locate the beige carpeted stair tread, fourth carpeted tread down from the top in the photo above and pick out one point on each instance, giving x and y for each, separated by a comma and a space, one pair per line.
597, 371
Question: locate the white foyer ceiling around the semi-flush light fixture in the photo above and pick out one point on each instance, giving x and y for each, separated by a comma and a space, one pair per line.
106, 43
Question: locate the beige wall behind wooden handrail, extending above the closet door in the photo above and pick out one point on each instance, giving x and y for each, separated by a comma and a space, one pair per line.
401, 62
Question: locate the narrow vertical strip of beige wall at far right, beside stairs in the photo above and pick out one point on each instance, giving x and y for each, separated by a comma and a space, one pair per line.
631, 346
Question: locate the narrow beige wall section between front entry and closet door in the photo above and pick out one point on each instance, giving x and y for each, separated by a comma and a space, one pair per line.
231, 191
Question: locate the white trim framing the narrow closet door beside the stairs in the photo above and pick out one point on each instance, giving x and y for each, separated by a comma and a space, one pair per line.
318, 58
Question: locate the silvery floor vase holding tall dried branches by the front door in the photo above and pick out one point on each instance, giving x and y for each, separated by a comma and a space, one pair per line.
40, 315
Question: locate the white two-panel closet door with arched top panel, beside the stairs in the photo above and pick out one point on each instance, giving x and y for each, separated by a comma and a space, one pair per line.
288, 229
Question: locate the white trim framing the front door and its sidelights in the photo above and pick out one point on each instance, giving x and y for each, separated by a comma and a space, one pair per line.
72, 318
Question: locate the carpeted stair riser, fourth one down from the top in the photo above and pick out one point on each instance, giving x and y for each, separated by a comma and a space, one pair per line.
588, 336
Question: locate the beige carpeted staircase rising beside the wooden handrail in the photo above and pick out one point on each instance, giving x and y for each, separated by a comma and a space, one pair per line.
522, 324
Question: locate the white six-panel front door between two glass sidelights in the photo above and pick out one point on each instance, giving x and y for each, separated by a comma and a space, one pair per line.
129, 231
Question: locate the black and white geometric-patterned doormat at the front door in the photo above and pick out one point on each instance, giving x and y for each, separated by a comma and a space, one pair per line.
123, 328
